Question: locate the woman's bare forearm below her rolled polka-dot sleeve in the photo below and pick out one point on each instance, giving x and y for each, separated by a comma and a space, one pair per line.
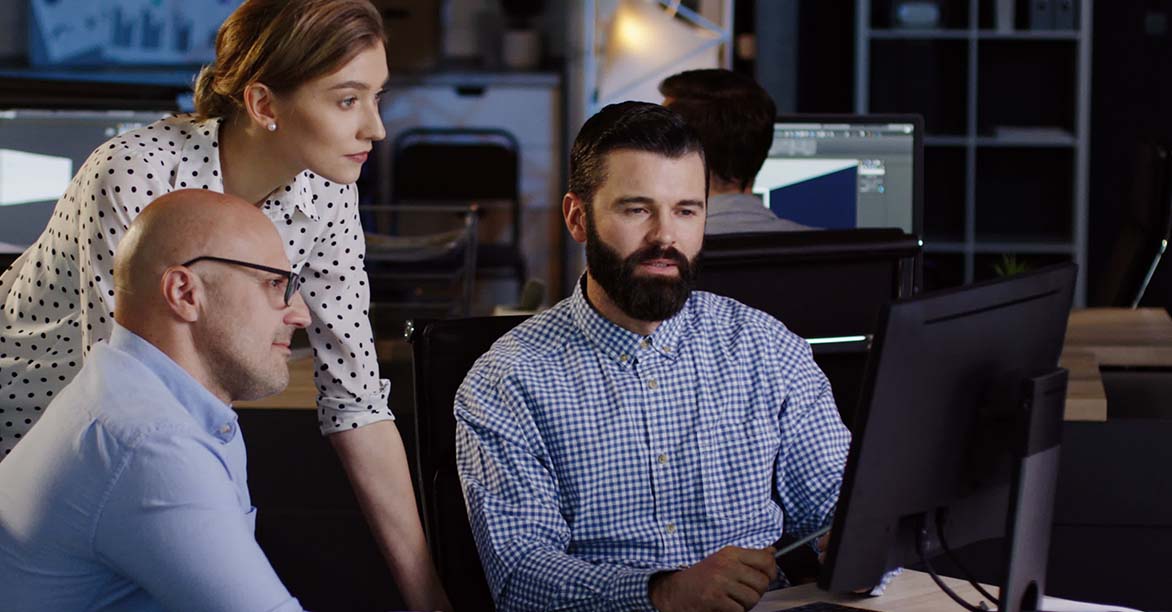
377, 466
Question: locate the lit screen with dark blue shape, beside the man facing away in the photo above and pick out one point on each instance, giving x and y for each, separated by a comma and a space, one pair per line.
842, 175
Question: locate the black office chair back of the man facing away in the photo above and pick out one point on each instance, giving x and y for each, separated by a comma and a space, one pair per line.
827, 287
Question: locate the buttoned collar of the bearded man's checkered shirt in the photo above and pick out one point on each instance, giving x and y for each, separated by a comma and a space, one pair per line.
621, 344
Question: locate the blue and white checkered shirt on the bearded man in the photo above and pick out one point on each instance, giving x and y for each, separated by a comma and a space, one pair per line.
594, 458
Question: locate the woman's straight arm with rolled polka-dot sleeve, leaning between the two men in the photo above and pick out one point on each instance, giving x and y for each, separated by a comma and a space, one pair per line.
353, 399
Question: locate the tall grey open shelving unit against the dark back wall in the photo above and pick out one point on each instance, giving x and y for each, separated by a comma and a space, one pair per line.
1007, 115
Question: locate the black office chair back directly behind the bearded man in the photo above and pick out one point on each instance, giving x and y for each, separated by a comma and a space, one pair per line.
444, 353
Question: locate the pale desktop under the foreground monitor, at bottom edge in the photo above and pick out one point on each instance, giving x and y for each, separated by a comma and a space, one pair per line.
908, 593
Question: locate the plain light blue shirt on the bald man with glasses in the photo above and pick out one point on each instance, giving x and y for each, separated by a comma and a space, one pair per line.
131, 494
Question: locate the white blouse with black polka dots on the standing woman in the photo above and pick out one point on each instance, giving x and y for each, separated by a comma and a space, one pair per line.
58, 297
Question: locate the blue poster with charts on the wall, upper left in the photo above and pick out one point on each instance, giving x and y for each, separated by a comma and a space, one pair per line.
125, 32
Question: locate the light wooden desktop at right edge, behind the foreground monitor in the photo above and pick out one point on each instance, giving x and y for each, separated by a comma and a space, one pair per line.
1110, 337
